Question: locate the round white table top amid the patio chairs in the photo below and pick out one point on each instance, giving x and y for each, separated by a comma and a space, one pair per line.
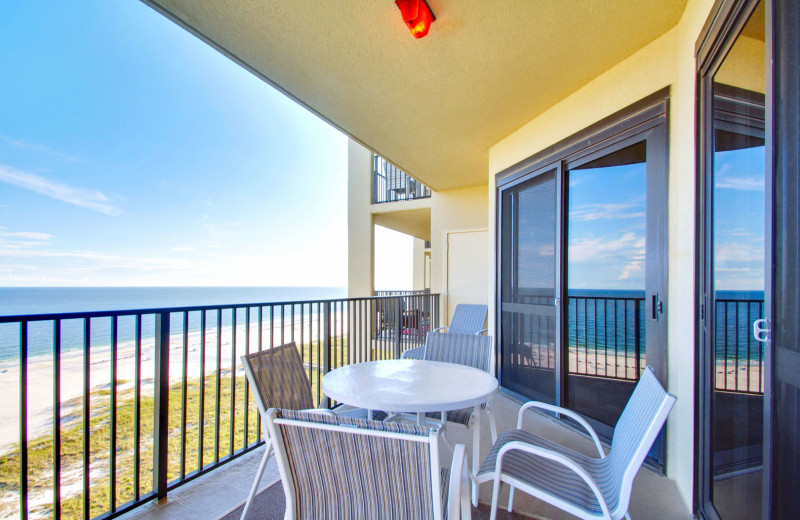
409, 385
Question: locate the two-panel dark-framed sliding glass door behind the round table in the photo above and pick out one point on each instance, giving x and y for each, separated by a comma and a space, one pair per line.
582, 271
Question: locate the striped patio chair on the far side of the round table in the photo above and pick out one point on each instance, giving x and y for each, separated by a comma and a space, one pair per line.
470, 350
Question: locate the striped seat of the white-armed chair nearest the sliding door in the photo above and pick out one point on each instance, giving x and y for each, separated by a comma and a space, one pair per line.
552, 477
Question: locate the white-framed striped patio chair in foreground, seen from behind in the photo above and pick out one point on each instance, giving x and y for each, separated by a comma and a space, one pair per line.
342, 468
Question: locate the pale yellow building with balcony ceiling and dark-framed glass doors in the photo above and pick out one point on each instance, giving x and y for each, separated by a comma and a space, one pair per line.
644, 150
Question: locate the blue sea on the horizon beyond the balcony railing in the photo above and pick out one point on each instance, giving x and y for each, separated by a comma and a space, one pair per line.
19, 301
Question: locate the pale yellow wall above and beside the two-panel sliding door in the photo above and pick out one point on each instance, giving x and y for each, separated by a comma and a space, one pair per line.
667, 62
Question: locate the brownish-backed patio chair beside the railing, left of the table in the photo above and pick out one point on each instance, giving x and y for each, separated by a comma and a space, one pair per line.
278, 379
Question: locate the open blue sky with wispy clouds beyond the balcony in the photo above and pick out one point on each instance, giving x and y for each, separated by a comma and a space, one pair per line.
131, 153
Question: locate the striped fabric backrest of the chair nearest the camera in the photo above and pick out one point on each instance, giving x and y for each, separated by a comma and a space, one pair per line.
343, 475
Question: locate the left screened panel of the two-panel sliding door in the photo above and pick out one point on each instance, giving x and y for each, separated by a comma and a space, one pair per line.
529, 286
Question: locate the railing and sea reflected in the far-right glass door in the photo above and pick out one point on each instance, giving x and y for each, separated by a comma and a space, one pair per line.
739, 363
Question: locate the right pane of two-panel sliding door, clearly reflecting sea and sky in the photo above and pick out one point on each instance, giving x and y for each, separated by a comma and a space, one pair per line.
606, 281
